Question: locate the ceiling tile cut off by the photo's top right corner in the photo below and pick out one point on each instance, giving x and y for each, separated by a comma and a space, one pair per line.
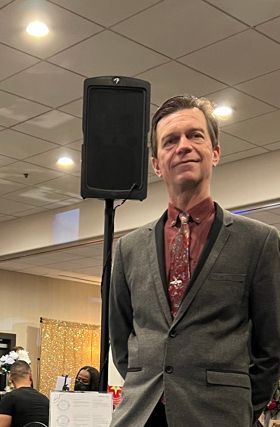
250, 11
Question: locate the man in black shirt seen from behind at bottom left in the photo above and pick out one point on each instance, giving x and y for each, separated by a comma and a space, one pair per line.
24, 404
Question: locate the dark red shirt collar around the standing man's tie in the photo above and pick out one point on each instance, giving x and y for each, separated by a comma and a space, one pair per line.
198, 213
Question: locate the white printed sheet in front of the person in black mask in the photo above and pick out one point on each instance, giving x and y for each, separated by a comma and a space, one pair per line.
80, 409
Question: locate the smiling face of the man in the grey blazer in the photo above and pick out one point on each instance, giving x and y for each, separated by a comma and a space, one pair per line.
185, 156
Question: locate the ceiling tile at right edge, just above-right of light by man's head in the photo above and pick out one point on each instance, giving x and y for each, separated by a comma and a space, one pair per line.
265, 87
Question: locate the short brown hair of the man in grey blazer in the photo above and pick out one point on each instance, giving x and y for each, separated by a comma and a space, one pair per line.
182, 102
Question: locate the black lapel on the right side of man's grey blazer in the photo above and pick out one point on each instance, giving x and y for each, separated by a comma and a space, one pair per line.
215, 251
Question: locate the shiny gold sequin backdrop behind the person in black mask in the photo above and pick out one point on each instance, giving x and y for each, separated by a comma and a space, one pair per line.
65, 348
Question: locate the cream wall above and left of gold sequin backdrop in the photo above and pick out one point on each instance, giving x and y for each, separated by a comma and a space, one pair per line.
26, 298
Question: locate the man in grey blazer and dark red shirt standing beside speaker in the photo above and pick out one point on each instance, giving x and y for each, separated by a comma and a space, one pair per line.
195, 333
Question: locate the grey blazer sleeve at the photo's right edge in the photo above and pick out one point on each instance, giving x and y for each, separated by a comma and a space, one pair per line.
265, 315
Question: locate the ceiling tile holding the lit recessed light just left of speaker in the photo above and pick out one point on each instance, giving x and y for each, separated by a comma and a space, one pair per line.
50, 158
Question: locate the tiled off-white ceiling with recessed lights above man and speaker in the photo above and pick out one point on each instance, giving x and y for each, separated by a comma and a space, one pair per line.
226, 50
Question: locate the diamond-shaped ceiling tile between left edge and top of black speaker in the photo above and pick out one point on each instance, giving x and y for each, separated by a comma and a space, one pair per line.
45, 83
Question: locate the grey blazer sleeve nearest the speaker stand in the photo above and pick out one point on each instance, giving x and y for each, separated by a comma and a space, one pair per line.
120, 313
